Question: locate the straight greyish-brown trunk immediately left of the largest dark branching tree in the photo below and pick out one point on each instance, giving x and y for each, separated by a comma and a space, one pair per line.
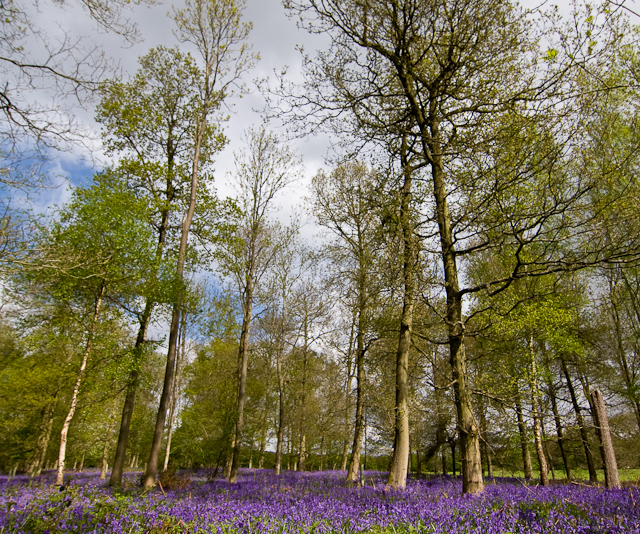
400, 460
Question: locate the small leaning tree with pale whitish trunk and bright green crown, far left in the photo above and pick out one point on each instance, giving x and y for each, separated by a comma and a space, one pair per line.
98, 249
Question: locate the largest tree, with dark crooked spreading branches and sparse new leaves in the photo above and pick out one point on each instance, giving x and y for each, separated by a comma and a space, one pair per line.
464, 80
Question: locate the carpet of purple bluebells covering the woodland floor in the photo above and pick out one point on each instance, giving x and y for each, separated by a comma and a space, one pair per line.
312, 502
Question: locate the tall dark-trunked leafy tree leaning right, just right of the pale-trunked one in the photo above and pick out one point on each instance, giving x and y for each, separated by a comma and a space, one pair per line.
149, 122
